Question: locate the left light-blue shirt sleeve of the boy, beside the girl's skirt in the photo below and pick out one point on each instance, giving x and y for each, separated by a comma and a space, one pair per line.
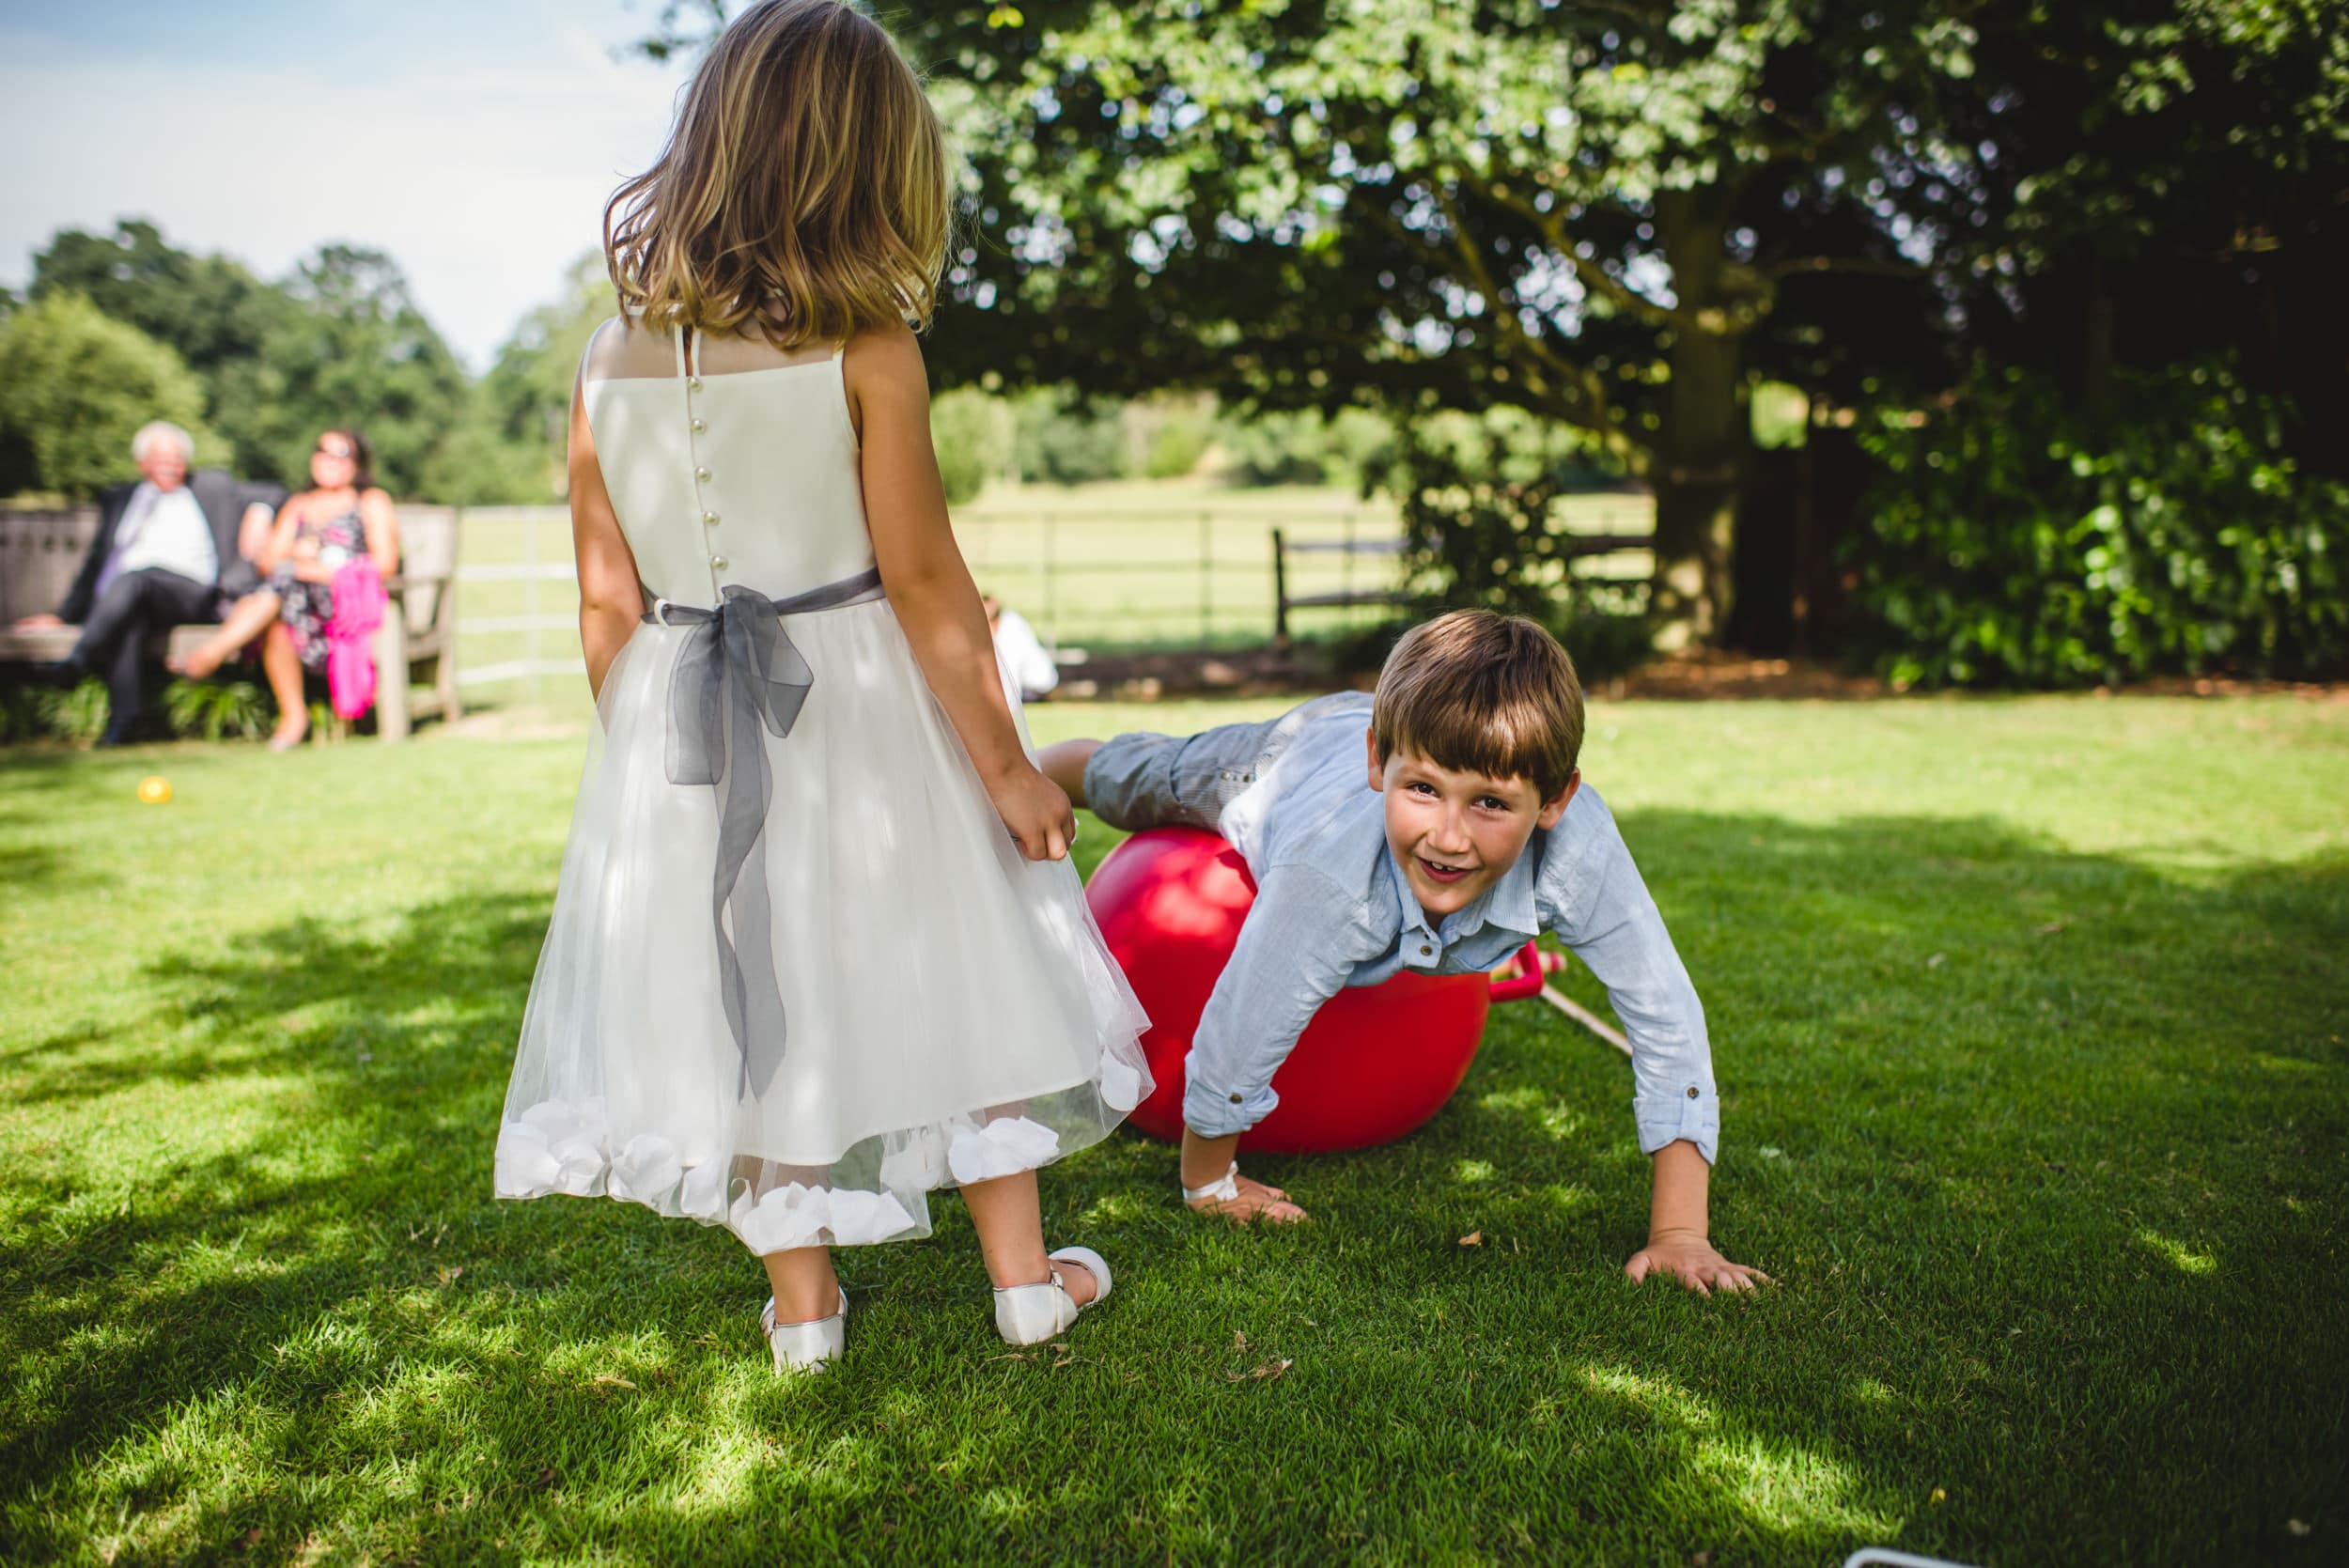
1298, 949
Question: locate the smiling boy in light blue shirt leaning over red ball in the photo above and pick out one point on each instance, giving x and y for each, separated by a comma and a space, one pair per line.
1467, 837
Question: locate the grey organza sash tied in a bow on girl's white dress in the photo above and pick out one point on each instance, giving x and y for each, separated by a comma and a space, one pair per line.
736, 680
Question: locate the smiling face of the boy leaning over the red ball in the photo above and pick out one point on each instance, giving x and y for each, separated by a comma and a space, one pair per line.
1458, 832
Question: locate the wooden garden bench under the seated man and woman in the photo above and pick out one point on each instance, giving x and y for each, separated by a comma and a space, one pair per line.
43, 550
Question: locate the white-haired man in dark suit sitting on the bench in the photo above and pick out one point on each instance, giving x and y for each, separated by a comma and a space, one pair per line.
170, 550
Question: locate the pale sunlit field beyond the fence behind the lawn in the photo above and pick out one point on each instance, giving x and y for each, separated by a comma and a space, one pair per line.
1110, 567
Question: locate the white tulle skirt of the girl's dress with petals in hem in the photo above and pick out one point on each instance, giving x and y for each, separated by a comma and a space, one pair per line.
953, 1013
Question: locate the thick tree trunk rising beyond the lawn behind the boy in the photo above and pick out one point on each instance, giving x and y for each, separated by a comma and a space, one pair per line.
1704, 438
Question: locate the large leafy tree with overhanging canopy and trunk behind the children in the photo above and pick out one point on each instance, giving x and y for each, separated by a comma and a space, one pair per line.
1617, 217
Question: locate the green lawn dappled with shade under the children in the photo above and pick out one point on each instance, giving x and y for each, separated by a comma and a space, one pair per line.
2028, 1022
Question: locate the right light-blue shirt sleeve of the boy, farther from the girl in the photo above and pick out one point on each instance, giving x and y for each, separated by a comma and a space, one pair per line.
1613, 926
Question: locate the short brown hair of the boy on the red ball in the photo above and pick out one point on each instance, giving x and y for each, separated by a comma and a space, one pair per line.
1483, 694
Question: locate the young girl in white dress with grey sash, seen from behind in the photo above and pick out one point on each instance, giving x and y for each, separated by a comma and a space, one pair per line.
819, 947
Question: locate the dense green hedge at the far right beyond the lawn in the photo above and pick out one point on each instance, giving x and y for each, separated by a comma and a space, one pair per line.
2017, 541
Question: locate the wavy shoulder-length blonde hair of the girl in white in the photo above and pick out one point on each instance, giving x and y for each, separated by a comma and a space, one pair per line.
805, 189
